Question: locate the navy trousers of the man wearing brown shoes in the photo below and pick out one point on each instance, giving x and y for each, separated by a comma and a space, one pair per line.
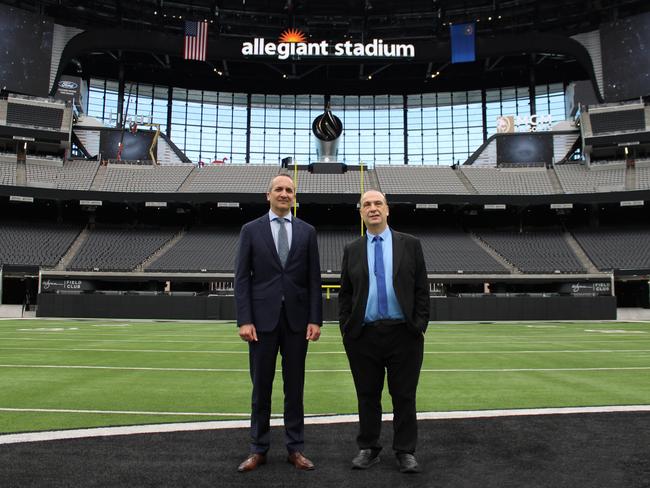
262, 360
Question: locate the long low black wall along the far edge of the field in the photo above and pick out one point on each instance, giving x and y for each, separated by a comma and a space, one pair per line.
223, 307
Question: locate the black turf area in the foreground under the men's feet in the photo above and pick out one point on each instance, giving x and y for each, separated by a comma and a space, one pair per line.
603, 450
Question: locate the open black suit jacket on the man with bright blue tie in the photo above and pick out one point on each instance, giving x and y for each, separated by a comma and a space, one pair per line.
409, 282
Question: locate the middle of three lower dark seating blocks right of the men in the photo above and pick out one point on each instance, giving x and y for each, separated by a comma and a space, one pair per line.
534, 251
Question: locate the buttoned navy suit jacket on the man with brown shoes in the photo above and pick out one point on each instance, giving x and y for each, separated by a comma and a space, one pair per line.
261, 282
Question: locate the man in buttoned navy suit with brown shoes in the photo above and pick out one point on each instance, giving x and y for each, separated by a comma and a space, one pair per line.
279, 308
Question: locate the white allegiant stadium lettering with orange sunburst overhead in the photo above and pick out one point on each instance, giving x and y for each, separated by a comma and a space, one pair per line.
292, 42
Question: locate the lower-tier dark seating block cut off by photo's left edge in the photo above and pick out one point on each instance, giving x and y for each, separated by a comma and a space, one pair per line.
30, 244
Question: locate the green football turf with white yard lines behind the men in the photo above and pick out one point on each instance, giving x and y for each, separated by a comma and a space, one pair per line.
122, 372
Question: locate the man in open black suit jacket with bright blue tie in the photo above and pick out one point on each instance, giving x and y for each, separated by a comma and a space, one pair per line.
383, 314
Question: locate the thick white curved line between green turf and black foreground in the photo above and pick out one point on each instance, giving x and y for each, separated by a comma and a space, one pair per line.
335, 419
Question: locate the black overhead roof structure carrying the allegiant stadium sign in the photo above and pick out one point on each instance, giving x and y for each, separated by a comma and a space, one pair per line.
143, 40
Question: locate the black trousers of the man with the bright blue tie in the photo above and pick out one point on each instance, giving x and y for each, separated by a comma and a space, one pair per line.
397, 351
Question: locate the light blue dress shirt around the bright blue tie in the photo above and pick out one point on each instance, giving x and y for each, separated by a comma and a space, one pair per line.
394, 310
